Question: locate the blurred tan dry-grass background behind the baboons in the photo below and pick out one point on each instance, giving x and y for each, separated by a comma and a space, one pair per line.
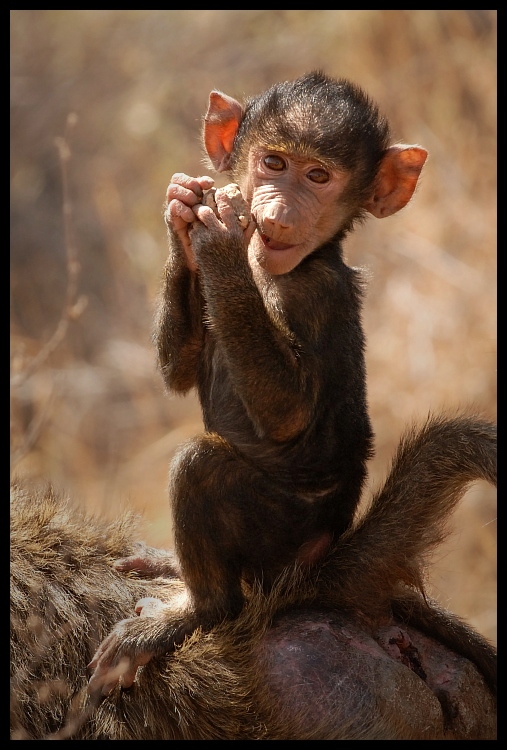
127, 90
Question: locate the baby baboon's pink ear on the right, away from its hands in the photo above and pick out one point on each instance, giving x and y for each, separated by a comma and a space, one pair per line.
396, 179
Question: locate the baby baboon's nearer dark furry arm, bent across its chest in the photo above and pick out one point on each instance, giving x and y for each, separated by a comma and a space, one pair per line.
275, 373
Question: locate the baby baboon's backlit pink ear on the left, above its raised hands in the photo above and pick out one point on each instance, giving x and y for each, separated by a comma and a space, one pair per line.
220, 127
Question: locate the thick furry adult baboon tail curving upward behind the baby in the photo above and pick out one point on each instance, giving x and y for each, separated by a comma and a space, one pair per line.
391, 543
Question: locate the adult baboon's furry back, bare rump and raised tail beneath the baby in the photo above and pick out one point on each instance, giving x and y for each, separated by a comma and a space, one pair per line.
335, 653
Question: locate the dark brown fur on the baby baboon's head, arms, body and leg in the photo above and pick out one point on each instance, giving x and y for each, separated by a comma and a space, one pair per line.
283, 393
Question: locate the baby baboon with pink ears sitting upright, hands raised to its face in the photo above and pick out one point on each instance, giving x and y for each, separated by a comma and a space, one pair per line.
265, 321
